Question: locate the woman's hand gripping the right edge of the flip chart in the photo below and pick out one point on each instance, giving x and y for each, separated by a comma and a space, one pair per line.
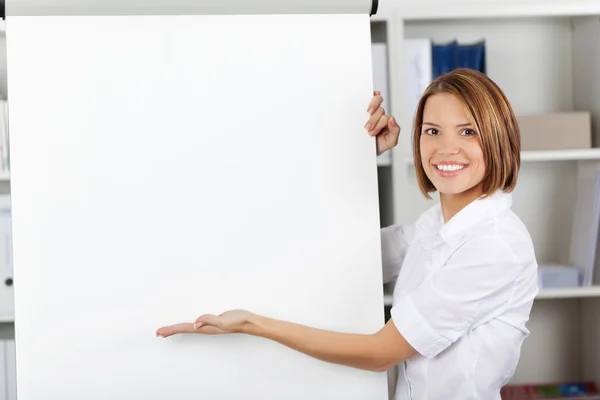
382, 126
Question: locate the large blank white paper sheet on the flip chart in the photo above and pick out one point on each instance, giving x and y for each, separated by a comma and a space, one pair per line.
164, 167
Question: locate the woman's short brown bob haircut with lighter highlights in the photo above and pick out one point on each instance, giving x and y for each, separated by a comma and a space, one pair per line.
490, 113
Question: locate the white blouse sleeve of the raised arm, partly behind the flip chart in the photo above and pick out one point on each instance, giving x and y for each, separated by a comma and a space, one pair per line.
395, 240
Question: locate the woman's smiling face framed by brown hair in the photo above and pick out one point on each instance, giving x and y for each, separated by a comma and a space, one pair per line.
451, 151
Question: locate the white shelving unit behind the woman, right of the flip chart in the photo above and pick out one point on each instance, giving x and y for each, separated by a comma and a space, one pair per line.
545, 55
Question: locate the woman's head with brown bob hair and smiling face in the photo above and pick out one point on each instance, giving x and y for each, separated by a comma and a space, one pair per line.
465, 119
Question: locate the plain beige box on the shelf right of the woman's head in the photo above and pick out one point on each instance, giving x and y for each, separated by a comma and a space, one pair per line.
556, 131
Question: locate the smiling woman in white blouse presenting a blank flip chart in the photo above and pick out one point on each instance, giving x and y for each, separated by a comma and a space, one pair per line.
465, 271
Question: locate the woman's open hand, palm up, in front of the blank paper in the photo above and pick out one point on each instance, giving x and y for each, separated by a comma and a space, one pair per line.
232, 321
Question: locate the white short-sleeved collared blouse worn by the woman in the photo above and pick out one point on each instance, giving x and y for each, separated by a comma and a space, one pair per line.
462, 298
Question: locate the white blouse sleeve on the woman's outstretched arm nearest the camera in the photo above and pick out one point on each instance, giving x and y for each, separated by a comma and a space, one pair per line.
474, 285
